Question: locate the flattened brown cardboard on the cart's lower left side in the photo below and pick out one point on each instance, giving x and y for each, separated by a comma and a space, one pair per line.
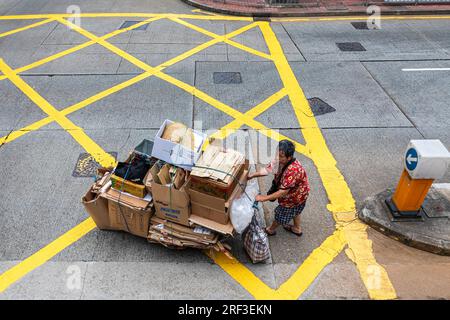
128, 213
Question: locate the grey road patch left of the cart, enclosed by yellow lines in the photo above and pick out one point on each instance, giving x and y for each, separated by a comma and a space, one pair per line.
34, 167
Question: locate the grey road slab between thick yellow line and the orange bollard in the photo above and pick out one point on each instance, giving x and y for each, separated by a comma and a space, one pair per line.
370, 159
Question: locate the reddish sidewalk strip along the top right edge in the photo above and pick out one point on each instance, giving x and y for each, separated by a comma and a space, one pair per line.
262, 8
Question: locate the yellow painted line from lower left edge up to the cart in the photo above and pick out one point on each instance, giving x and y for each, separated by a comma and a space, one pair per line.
49, 251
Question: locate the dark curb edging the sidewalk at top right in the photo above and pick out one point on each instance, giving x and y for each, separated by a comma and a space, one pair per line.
313, 14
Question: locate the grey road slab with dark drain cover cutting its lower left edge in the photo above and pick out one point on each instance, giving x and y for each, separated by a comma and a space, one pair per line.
348, 87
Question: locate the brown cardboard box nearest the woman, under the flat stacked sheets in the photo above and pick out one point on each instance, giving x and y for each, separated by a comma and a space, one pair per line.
215, 208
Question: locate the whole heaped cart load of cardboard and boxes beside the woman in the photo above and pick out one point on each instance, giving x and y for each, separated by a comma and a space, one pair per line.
171, 207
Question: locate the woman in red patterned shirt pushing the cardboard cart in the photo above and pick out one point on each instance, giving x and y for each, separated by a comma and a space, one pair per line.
290, 187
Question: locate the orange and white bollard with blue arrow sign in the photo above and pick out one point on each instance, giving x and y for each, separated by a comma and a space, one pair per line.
425, 161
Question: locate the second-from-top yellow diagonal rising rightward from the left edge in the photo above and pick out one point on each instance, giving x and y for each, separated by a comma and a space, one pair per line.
79, 47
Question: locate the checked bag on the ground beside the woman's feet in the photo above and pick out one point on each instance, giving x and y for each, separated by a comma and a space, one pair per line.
256, 242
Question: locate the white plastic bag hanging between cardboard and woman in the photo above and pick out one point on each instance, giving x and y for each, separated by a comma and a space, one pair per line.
242, 207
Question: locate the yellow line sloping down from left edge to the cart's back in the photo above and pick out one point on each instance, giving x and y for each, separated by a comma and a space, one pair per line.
76, 132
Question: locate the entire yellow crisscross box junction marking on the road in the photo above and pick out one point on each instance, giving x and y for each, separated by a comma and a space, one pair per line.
349, 231
